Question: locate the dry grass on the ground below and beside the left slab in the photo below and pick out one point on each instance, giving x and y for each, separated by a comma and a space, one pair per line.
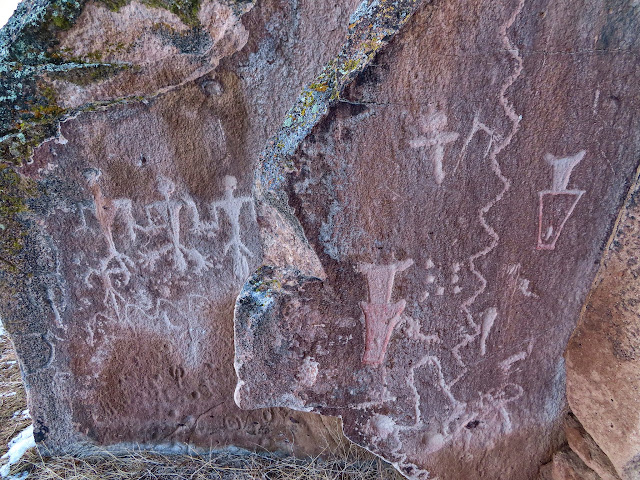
349, 463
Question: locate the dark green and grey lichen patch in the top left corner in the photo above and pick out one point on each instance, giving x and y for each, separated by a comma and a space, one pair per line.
29, 108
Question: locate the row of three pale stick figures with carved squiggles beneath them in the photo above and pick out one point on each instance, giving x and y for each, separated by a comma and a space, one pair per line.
148, 252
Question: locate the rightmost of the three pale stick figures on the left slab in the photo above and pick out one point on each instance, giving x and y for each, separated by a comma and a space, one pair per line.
232, 207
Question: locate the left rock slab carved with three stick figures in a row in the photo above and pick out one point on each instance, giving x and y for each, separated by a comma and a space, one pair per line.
133, 228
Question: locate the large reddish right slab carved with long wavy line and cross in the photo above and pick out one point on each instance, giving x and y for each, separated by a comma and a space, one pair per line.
449, 214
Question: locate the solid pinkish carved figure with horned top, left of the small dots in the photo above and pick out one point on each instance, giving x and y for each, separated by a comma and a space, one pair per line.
381, 316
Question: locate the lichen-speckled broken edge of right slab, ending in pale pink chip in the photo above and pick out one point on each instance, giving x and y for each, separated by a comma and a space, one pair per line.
372, 26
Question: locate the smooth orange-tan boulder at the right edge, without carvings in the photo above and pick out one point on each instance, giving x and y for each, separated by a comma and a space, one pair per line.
603, 361
